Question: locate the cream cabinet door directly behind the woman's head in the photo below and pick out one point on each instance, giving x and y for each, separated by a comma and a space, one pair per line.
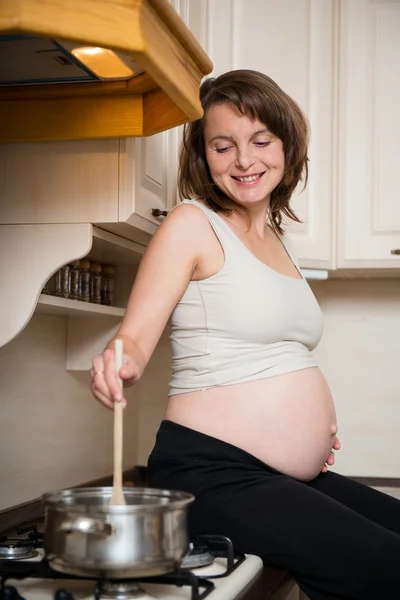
294, 43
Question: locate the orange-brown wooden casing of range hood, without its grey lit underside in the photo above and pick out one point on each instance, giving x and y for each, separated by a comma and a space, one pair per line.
165, 96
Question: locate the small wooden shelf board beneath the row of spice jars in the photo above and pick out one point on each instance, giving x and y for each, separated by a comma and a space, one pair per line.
62, 307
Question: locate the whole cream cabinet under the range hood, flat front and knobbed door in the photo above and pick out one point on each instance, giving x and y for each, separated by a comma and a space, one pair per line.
113, 183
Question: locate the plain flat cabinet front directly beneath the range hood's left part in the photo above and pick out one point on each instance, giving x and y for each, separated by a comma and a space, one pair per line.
59, 182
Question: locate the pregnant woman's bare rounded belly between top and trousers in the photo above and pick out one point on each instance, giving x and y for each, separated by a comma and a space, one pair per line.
285, 421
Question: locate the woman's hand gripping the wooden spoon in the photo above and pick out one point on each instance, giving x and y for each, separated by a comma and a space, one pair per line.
104, 382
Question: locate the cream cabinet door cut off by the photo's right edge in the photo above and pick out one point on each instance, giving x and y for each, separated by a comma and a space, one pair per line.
369, 133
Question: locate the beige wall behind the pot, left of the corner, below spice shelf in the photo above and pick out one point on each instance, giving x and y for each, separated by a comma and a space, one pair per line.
52, 432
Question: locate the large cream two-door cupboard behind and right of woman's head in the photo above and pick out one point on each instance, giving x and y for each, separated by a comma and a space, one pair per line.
339, 60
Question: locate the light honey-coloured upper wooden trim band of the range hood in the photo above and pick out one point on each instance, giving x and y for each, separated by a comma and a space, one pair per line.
116, 24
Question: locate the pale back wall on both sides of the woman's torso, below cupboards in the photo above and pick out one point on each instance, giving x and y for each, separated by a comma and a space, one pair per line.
359, 355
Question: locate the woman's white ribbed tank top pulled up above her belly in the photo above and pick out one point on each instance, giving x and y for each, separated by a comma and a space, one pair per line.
244, 323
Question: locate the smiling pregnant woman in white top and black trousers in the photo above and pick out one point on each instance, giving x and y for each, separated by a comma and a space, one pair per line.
250, 423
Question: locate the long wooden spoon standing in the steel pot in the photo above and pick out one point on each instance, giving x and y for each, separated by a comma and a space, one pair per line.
117, 497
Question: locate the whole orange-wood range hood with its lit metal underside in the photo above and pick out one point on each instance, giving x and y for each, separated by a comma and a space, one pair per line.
85, 69
